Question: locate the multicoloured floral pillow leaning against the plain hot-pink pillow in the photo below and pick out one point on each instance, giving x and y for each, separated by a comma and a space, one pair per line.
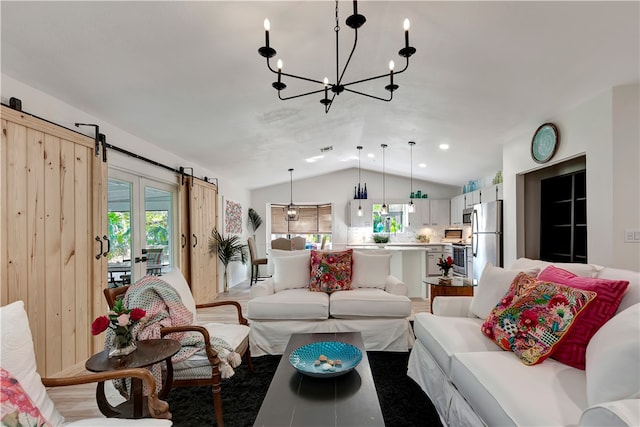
534, 316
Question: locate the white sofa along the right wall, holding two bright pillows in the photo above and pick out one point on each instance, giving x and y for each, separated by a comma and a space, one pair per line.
472, 381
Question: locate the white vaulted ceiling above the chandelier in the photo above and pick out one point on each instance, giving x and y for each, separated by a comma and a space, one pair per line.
187, 77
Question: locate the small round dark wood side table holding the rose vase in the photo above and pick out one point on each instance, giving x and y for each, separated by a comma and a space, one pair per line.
149, 352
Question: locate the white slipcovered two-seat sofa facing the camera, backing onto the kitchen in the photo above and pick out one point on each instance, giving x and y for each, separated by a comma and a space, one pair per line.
376, 305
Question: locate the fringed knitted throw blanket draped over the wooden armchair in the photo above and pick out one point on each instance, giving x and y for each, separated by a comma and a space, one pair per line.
164, 308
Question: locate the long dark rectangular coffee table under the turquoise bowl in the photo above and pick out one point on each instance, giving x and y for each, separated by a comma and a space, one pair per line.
294, 399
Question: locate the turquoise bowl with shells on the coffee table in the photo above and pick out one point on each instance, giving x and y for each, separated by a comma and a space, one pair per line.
325, 359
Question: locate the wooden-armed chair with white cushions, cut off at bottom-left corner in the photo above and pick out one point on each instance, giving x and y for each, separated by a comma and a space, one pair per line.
19, 361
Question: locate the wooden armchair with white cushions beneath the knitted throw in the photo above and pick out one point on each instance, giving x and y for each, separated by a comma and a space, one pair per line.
197, 372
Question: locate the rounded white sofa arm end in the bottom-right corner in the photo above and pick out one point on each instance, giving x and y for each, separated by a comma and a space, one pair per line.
617, 413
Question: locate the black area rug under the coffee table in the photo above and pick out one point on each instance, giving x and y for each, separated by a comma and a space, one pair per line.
402, 401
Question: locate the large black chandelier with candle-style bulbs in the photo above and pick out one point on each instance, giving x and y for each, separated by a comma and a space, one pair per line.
354, 21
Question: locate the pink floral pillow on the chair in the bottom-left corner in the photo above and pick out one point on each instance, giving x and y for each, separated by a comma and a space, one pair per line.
16, 408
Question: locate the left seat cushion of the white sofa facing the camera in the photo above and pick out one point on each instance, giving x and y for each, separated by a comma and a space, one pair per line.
290, 304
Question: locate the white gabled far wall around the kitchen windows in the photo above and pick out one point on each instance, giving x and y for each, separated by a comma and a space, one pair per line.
337, 188
